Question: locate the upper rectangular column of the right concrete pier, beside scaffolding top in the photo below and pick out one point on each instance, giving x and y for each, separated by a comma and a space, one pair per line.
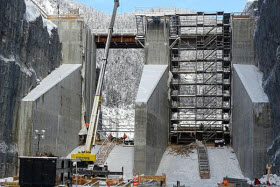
243, 41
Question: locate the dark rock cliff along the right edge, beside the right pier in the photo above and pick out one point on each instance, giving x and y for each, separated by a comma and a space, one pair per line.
267, 38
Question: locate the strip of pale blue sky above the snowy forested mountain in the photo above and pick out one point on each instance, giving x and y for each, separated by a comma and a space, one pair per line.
198, 5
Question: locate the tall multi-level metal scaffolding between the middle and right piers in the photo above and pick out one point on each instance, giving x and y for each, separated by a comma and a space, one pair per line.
201, 70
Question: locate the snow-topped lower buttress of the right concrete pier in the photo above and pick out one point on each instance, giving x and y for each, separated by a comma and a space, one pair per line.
251, 123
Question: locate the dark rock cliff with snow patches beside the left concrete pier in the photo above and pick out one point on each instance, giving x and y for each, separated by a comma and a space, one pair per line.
28, 53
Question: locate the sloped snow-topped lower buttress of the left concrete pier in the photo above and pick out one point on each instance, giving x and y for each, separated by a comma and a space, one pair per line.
55, 106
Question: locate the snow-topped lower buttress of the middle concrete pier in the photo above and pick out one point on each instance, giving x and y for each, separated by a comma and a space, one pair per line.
151, 119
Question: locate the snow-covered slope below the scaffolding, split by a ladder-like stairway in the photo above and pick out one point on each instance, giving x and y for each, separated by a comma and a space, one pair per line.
223, 162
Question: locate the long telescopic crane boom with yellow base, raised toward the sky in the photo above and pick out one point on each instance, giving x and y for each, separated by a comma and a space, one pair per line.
86, 155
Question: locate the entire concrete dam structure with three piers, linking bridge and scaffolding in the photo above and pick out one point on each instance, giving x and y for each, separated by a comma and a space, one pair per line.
200, 82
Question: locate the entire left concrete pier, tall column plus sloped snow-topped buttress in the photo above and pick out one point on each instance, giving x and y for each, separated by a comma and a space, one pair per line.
62, 102
